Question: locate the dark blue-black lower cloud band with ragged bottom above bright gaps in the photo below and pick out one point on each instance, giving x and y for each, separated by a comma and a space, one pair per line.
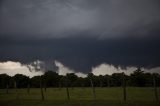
82, 54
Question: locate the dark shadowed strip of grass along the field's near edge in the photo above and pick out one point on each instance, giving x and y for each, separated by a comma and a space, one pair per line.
76, 103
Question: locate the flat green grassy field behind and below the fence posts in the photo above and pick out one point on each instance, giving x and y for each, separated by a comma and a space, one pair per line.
79, 97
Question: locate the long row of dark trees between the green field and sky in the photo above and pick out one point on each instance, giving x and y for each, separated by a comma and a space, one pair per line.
51, 79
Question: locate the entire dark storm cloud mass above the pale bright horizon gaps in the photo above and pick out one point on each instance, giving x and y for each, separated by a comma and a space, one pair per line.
81, 34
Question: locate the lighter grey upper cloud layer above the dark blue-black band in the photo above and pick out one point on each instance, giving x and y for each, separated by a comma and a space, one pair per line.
67, 18
